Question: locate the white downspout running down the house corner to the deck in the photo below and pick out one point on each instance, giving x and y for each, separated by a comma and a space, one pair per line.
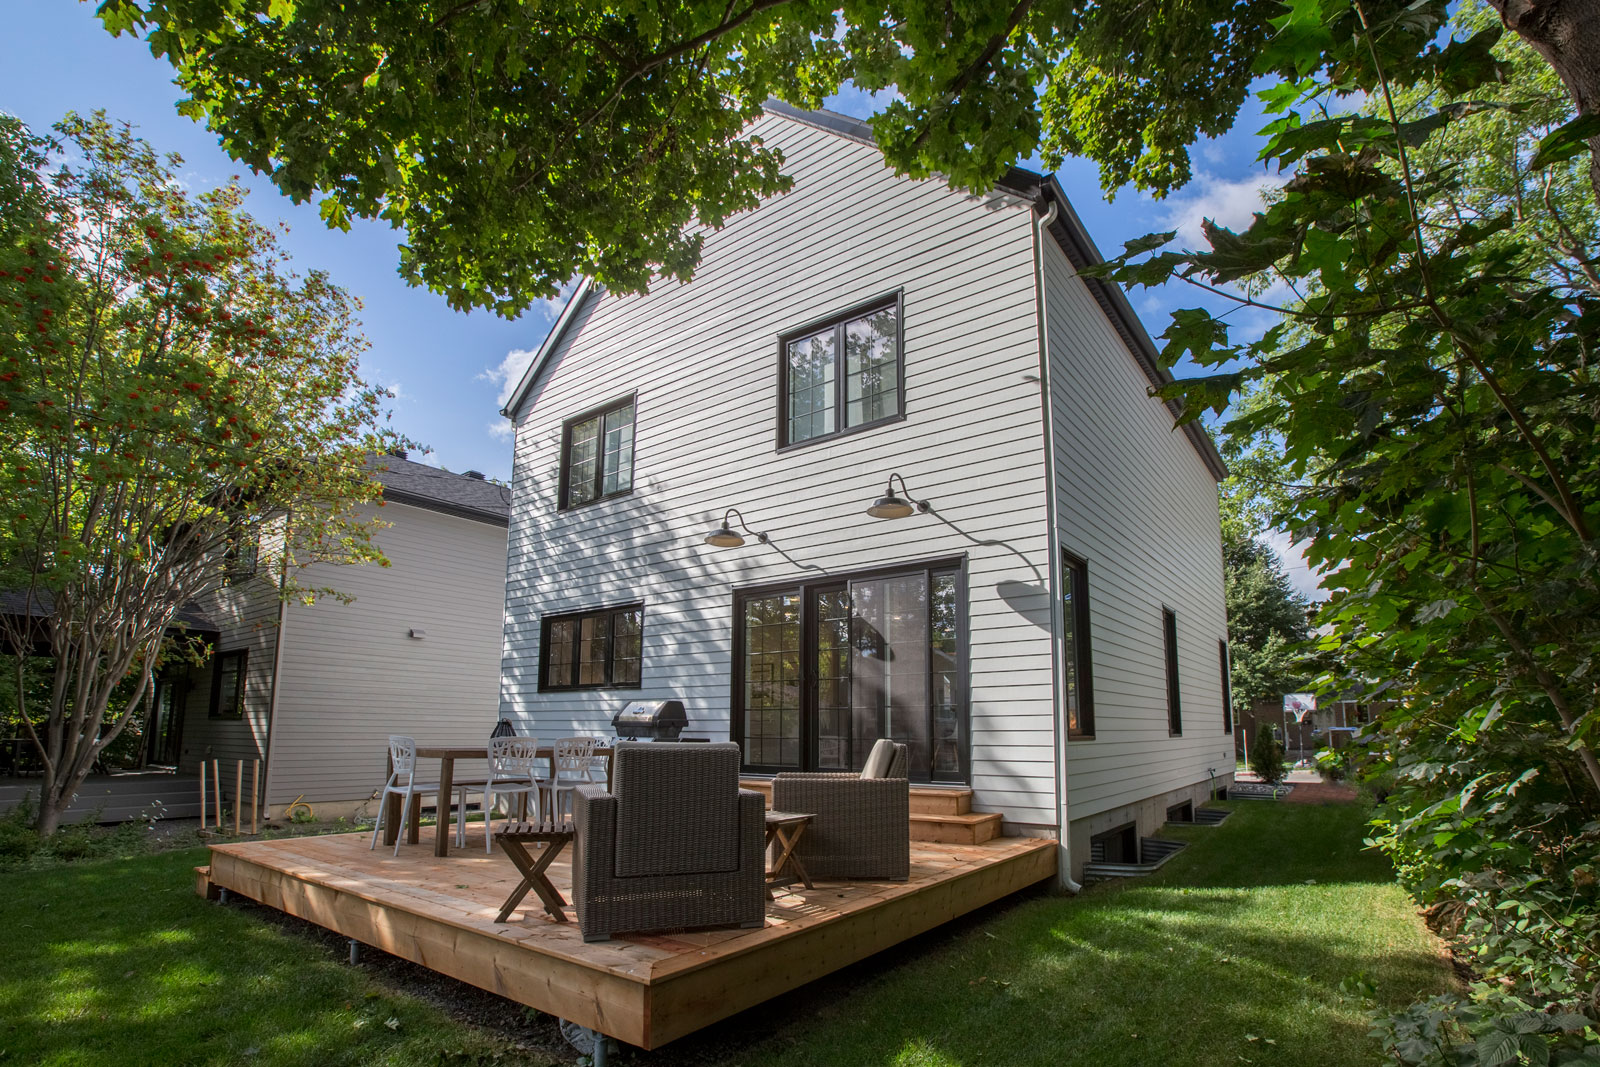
1054, 540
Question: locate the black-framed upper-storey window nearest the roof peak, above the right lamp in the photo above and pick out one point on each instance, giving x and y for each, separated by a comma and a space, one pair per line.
841, 375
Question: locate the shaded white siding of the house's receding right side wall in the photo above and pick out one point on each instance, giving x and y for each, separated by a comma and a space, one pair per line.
1140, 506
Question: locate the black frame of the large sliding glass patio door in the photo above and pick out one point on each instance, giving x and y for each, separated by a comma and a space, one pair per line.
809, 681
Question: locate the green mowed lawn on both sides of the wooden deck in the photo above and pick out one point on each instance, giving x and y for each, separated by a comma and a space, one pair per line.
1233, 954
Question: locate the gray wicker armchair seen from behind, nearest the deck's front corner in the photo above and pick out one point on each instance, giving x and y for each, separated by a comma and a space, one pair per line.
676, 844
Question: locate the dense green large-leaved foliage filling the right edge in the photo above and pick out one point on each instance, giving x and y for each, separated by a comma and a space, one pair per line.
1434, 399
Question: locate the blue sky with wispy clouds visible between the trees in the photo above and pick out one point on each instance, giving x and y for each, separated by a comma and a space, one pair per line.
449, 369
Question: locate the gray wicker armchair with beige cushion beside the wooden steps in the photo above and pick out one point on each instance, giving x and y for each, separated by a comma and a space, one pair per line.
863, 821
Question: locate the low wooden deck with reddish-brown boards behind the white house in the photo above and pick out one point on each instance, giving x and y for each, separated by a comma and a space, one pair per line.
639, 989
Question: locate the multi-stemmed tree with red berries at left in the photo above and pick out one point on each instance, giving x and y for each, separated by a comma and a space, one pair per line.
167, 396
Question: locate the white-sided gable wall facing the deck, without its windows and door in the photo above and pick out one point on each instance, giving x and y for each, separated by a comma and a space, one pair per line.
702, 361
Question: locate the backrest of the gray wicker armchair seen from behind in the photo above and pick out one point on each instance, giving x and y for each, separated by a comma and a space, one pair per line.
678, 809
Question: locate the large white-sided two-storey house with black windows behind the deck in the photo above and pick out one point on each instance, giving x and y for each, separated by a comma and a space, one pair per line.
1050, 633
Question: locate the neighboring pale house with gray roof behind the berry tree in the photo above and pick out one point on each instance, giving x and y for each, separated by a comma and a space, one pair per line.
316, 690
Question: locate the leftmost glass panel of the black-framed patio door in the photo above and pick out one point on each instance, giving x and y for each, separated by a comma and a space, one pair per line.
772, 681
